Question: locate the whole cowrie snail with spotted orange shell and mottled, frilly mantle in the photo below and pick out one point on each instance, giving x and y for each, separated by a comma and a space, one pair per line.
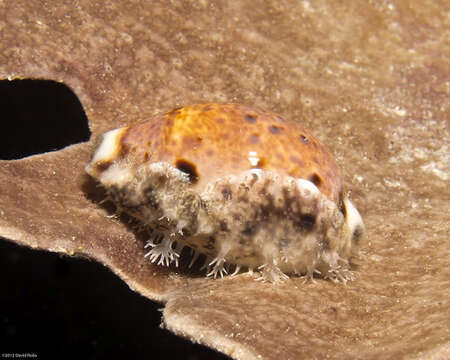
242, 186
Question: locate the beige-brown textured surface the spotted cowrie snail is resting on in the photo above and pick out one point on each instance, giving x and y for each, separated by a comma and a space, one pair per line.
370, 79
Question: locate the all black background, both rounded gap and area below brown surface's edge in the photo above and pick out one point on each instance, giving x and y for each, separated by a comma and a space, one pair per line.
52, 305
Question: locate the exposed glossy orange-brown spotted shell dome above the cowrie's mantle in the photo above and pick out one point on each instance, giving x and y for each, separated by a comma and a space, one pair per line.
209, 141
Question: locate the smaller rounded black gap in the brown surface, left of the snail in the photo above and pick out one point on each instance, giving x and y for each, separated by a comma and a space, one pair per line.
39, 116
